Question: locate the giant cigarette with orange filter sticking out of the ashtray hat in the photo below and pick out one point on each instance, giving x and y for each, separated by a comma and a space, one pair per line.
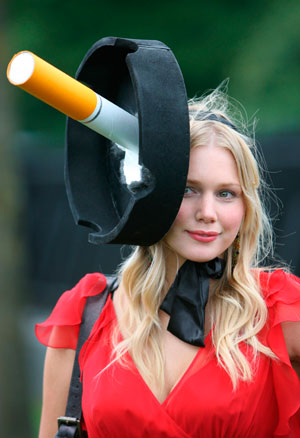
44, 81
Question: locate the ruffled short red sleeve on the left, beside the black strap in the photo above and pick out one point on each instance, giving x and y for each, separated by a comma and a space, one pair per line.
61, 329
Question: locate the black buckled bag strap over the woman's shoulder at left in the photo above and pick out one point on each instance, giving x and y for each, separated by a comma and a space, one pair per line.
69, 425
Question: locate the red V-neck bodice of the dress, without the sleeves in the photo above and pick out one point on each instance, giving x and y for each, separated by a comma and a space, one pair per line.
117, 401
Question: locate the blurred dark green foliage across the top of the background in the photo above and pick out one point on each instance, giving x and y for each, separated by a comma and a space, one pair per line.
255, 44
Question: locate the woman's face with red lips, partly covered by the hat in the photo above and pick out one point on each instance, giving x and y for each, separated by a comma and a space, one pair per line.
212, 208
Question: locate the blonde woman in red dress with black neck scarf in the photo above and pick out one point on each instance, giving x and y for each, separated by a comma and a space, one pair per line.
197, 340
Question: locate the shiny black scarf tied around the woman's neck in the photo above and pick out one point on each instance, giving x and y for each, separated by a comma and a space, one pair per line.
187, 297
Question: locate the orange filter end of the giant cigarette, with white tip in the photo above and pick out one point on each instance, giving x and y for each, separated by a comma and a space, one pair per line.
52, 86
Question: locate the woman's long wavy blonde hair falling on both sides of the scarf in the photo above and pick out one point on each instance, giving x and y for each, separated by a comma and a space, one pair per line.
238, 309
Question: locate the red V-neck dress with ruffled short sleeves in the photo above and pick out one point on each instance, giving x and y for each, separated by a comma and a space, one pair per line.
118, 404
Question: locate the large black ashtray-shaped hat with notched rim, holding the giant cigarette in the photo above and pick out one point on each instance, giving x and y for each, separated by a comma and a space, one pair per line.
143, 78
